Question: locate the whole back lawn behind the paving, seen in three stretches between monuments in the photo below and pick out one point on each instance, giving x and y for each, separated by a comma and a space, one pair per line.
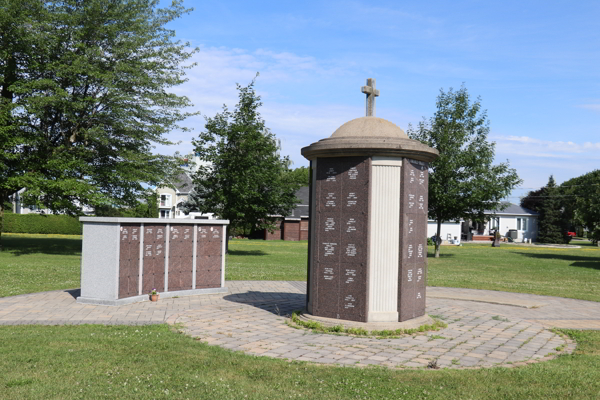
35, 263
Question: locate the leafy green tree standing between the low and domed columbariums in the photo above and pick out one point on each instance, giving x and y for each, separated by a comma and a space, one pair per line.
243, 178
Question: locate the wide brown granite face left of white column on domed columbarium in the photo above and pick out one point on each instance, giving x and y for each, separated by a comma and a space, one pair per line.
340, 240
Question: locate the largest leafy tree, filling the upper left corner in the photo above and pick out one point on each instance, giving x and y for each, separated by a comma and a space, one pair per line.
84, 97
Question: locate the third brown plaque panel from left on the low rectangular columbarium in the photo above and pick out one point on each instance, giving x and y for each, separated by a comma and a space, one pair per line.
181, 257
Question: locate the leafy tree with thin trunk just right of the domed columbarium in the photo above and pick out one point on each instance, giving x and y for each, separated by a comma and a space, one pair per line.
463, 182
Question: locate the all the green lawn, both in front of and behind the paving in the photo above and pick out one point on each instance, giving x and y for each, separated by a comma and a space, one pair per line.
154, 362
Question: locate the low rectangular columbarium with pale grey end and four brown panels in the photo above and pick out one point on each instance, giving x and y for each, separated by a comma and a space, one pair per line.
123, 259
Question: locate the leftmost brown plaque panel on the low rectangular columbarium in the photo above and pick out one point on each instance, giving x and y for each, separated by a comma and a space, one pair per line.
129, 260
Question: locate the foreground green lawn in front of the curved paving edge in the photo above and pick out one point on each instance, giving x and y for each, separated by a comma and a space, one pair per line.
152, 362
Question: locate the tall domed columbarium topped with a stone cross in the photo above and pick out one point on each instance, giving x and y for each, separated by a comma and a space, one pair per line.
367, 259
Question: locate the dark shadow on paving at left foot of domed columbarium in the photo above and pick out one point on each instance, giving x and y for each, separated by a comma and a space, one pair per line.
274, 302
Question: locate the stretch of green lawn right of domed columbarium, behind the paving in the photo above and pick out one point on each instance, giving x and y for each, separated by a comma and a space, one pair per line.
561, 272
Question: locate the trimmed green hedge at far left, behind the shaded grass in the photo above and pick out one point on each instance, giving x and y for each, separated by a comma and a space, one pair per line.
40, 223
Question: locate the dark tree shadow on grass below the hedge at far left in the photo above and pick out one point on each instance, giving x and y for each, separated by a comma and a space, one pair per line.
19, 246
